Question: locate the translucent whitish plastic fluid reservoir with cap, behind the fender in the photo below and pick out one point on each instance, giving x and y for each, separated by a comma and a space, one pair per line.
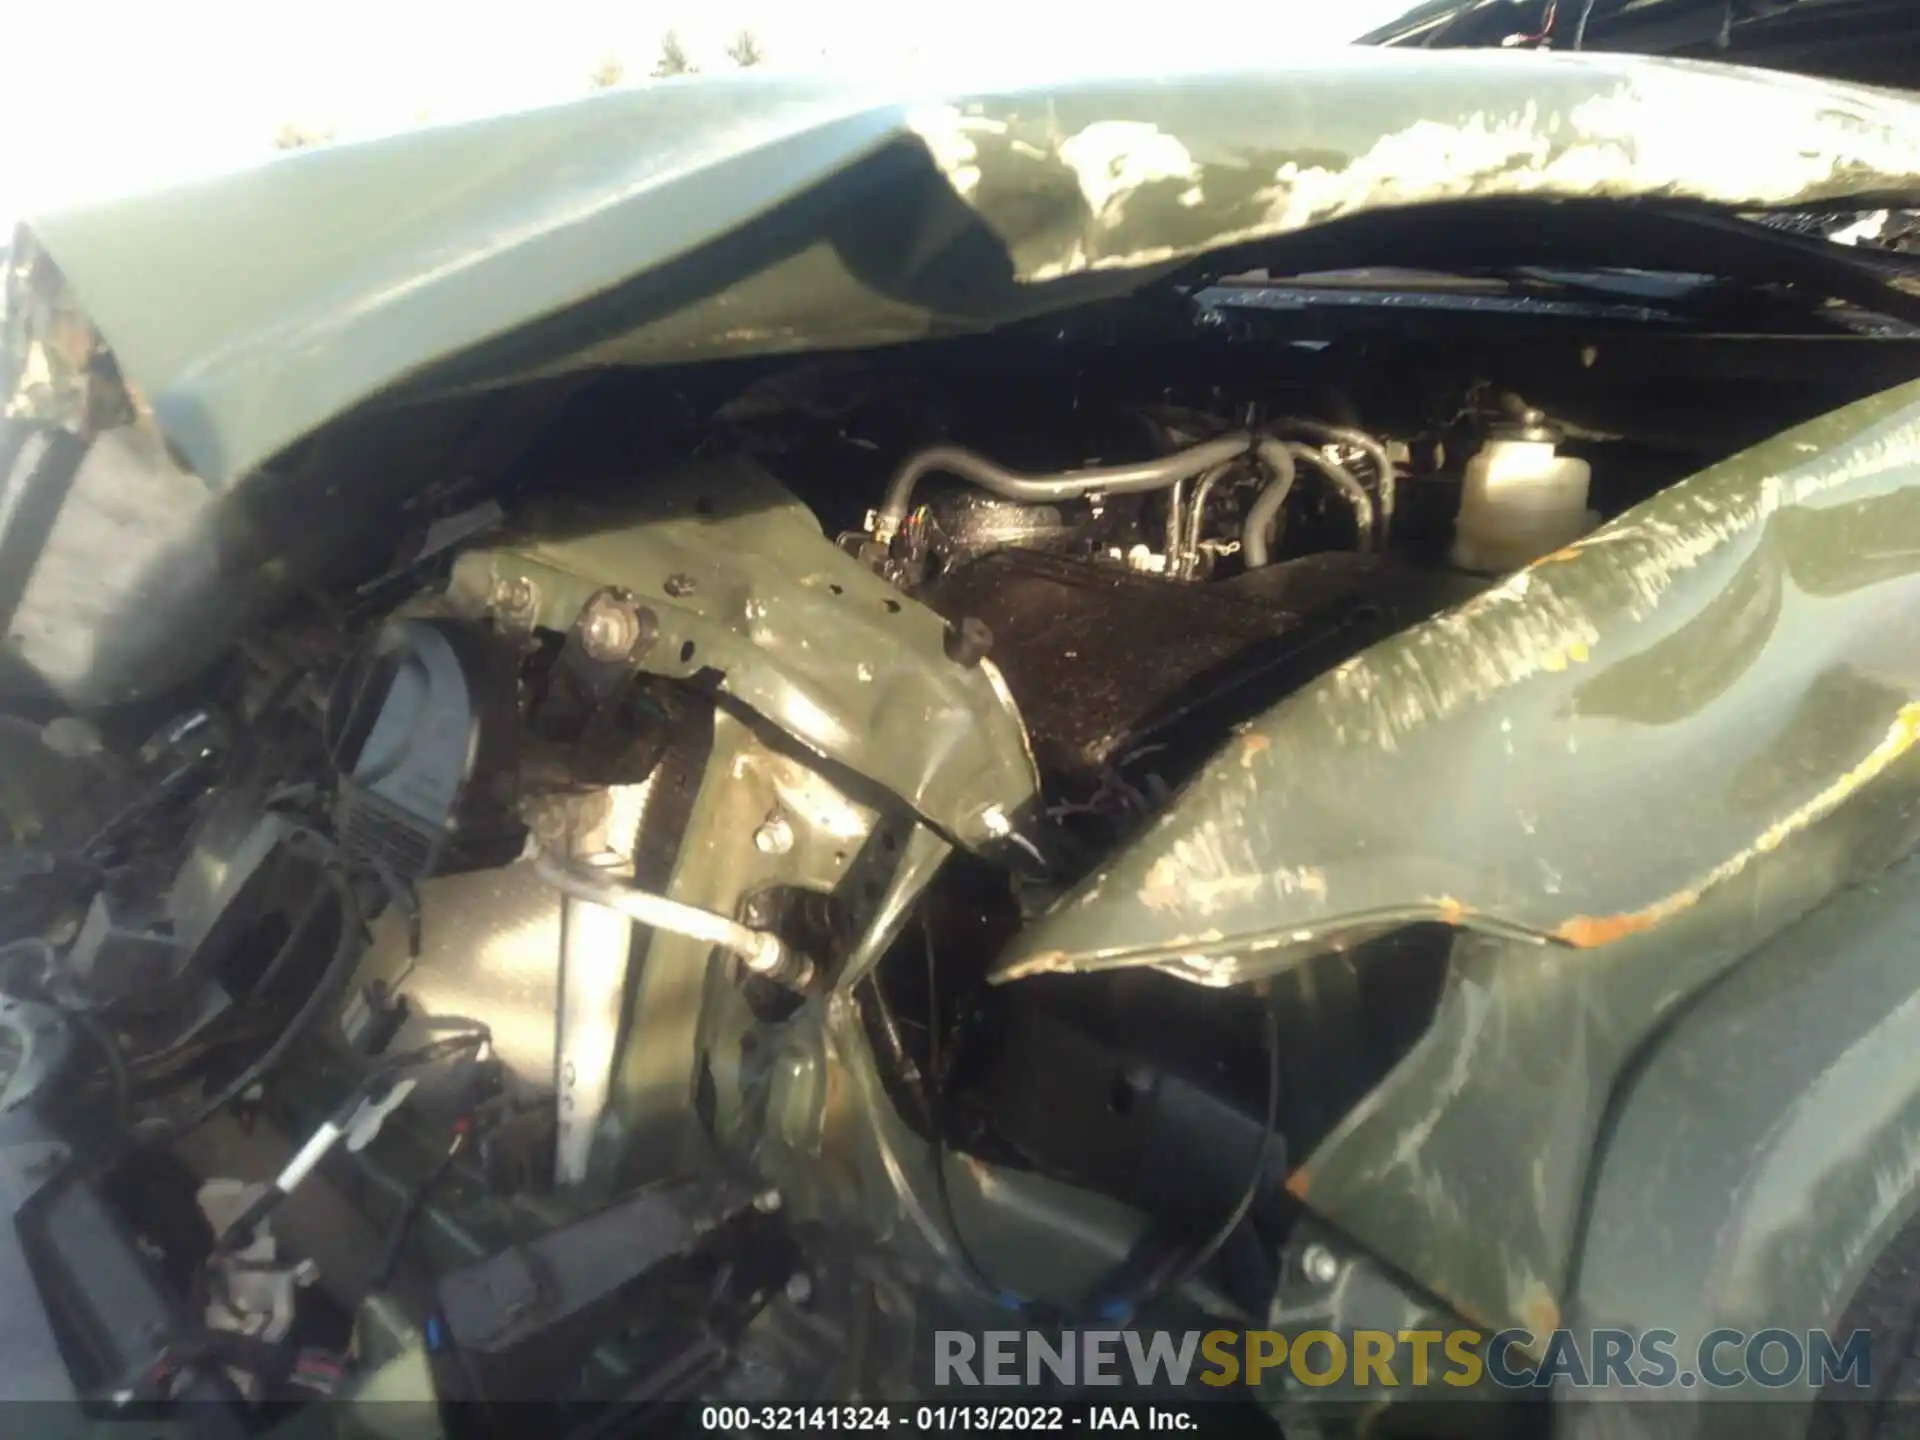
1520, 500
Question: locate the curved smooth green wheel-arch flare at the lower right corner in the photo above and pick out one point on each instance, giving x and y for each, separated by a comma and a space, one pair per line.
1764, 1155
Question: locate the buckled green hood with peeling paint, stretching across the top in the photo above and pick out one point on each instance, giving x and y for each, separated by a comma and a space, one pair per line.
782, 214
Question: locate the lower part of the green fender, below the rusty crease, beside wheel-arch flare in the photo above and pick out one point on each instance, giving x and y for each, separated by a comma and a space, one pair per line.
1466, 1168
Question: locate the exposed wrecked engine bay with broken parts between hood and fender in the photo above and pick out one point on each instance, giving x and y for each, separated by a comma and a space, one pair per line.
552, 959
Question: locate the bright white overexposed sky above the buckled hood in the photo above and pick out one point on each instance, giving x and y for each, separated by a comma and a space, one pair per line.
126, 97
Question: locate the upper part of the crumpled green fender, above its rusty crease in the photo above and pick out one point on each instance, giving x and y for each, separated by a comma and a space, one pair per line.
1577, 756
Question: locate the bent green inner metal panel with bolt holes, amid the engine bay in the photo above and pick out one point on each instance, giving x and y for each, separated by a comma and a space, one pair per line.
742, 585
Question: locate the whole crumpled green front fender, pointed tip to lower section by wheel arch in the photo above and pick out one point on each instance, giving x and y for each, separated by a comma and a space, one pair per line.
1620, 775
